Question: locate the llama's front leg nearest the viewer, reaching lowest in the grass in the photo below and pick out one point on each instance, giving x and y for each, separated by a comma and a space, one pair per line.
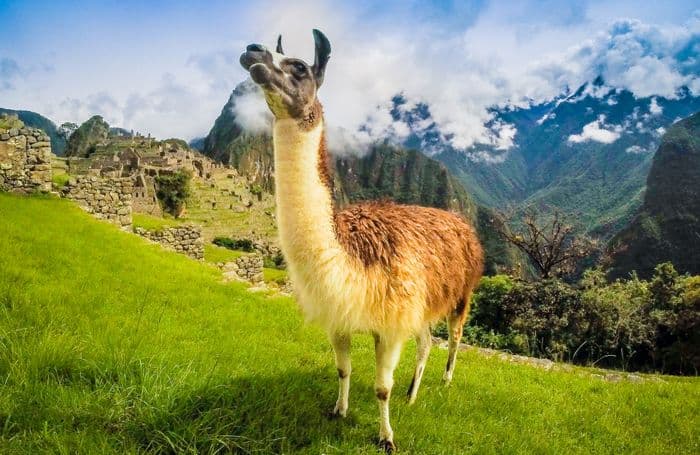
388, 352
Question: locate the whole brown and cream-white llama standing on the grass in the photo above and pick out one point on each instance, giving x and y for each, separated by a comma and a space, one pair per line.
377, 267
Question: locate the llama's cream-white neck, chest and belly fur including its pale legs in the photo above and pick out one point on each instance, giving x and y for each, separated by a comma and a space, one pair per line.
334, 289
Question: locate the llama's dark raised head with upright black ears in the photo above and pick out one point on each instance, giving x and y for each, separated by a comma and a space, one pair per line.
289, 84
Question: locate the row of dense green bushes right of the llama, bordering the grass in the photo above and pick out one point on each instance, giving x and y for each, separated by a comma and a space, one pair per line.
630, 324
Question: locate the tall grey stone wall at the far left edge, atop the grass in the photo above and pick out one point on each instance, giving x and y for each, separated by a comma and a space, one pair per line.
25, 160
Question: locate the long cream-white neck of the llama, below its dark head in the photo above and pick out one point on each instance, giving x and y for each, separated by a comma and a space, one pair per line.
304, 200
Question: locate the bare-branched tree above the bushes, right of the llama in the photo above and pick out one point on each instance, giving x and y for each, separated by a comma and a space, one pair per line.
549, 240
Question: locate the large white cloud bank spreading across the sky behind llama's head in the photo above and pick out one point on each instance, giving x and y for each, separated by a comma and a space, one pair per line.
505, 54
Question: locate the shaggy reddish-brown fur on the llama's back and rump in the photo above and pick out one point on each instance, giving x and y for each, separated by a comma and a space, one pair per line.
413, 244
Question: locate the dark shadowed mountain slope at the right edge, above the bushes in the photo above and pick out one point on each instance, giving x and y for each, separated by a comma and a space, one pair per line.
667, 228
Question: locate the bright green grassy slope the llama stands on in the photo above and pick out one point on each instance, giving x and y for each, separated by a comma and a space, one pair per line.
108, 343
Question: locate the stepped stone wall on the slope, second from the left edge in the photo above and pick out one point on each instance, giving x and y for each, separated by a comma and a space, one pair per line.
106, 198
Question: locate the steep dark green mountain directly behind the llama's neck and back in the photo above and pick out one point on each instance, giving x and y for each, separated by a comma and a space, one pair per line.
386, 172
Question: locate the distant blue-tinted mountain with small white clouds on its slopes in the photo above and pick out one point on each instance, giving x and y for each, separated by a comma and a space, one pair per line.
587, 154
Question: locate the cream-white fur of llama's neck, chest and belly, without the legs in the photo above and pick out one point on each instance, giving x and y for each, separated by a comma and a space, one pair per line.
334, 290
